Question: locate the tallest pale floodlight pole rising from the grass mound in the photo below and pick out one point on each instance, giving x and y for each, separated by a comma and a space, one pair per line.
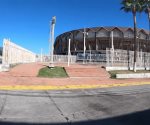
52, 40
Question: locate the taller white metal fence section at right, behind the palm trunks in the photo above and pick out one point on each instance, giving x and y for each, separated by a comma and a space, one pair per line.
125, 58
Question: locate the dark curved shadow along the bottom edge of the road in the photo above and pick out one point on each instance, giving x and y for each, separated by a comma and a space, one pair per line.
138, 118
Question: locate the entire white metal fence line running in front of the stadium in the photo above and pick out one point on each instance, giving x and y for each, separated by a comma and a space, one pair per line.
108, 58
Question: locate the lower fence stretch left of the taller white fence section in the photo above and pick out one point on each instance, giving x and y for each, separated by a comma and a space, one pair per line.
89, 58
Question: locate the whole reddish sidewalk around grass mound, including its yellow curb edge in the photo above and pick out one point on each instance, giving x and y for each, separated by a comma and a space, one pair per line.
24, 75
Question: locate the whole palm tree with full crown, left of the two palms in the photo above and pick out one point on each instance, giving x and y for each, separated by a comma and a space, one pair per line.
133, 6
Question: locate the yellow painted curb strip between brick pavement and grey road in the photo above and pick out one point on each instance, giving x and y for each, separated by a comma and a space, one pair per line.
49, 87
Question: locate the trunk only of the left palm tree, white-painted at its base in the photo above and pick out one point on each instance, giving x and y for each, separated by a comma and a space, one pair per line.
135, 41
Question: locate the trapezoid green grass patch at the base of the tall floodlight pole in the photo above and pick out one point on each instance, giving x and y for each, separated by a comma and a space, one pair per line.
56, 72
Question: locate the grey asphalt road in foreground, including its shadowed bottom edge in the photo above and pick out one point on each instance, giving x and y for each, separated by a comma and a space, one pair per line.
109, 106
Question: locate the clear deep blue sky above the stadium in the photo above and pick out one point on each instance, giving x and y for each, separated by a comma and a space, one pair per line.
26, 22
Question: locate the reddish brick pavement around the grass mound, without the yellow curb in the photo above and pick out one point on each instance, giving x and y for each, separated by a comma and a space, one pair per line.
25, 74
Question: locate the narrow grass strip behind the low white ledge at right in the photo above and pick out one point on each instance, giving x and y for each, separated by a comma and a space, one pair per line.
113, 73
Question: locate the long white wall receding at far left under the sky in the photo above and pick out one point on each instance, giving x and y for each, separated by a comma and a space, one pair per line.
14, 54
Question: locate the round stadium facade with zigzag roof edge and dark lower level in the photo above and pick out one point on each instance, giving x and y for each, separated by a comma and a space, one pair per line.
100, 38
